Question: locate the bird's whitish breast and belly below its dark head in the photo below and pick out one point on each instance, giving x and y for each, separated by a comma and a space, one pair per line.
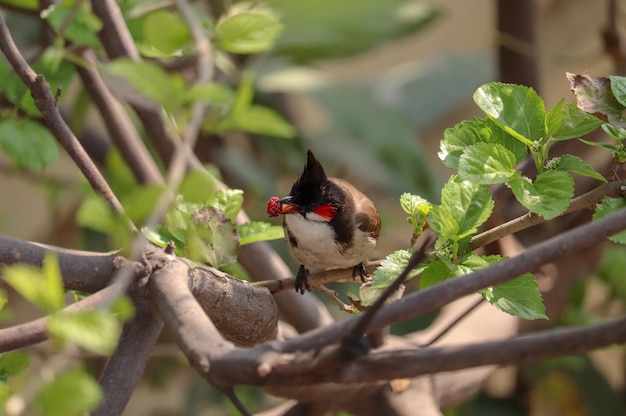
317, 249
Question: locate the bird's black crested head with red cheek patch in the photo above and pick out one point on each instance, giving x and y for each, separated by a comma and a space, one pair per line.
311, 193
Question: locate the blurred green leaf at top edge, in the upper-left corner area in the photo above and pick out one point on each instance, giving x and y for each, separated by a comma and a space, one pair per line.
76, 21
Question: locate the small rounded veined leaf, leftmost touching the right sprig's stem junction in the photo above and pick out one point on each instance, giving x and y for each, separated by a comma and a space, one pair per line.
487, 164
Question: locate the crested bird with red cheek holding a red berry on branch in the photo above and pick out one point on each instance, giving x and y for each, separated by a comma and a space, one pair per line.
328, 224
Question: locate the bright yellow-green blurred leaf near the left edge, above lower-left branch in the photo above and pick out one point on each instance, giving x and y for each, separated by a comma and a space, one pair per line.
42, 287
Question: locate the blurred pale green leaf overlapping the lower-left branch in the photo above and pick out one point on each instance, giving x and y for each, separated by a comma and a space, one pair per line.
95, 330
